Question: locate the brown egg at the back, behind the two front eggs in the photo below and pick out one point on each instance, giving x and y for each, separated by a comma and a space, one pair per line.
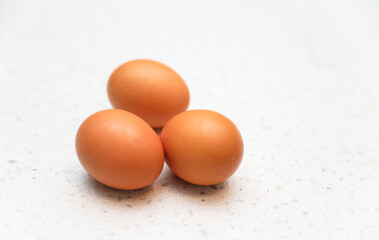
149, 89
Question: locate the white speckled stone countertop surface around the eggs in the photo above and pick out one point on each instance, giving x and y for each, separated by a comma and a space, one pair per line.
299, 78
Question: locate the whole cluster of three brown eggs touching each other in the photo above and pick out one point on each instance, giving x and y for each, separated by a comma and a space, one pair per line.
119, 147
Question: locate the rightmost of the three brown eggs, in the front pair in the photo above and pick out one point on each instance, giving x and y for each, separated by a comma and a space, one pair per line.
202, 147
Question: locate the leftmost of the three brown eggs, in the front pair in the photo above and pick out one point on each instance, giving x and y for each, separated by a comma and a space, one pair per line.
119, 149
